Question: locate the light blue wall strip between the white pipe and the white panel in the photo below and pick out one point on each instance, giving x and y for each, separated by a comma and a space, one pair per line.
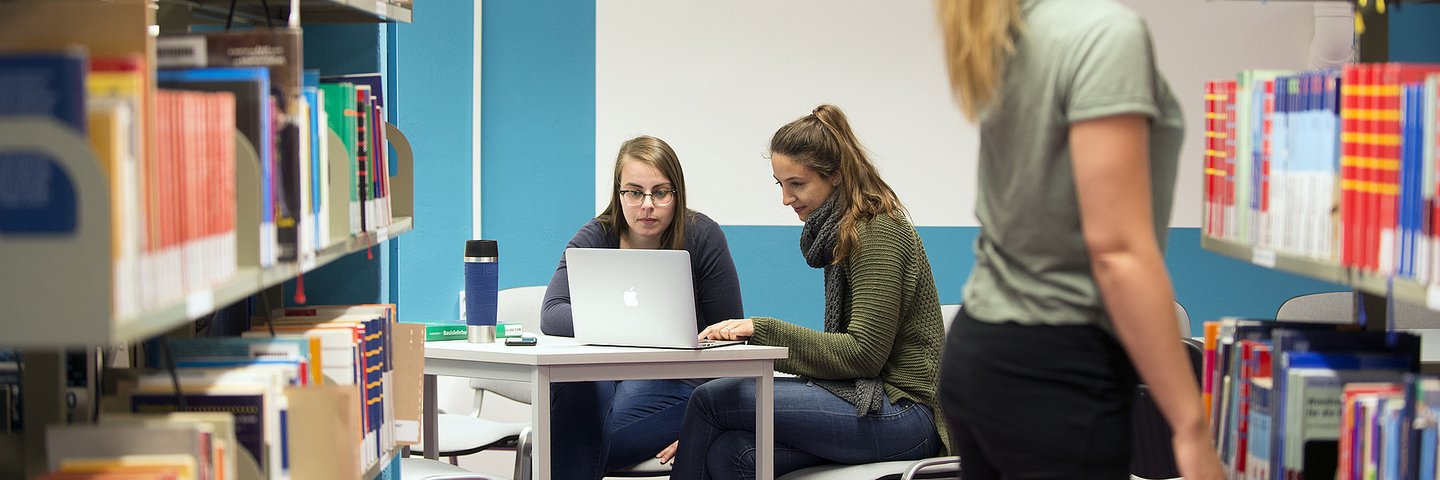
538, 151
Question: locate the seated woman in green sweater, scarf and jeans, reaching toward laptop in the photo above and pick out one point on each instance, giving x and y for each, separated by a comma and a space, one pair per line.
866, 386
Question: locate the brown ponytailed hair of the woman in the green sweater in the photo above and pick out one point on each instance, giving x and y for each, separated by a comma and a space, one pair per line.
824, 143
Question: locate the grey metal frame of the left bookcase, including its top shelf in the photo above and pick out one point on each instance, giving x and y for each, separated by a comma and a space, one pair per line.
58, 290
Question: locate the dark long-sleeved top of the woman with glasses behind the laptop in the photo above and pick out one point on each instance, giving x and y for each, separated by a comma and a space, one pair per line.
716, 282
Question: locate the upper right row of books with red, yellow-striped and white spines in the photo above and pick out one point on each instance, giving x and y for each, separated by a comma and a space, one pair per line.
1336, 165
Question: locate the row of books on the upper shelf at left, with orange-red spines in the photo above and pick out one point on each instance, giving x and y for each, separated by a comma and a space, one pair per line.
171, 162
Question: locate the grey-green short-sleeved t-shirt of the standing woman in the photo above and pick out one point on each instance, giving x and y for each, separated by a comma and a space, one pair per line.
1078, 60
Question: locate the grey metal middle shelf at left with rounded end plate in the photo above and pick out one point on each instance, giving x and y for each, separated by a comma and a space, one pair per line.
81, 263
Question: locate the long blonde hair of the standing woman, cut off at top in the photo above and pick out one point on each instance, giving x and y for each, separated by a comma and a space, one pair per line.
980, 37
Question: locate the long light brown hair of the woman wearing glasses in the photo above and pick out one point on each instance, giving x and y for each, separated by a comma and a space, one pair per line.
657, 155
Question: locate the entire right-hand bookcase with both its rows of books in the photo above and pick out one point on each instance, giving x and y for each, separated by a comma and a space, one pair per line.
1386, 302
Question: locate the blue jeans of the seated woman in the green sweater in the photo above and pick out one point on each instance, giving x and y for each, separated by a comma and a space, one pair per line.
811, 427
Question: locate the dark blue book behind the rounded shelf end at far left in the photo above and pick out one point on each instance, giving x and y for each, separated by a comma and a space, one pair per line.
41, 198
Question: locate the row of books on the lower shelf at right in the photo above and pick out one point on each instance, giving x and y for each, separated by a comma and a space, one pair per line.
1300, 401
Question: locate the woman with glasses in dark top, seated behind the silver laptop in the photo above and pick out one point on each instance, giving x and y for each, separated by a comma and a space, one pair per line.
608, 426
